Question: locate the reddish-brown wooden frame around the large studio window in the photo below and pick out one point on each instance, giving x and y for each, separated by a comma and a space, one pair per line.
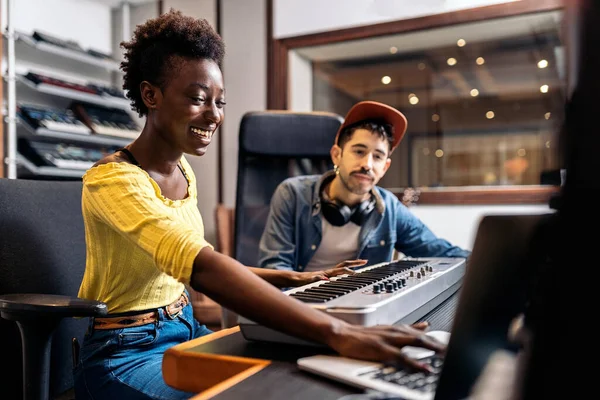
278, 87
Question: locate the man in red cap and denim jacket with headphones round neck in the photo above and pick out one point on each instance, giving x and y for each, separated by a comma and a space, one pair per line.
319, 220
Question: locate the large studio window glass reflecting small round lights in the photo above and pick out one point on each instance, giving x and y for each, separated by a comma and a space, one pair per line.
484, 101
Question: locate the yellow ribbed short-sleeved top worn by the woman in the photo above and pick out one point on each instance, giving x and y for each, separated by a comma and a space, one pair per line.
140, 245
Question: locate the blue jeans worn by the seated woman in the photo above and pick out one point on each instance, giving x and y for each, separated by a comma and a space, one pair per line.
127, 363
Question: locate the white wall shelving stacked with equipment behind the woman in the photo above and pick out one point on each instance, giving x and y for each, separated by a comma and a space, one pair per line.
50, 73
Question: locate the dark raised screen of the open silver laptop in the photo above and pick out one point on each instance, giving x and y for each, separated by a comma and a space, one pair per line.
495, 291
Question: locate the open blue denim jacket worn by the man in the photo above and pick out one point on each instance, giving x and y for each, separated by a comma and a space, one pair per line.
293, 230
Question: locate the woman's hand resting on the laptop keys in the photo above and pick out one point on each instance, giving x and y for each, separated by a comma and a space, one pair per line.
384, 343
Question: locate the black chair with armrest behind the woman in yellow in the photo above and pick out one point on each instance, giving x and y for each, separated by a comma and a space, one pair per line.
42, 260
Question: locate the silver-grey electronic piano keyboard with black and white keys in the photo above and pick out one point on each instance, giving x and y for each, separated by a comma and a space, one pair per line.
384, 294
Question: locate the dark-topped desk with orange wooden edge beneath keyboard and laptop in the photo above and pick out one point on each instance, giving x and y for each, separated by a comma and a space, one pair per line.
224, 366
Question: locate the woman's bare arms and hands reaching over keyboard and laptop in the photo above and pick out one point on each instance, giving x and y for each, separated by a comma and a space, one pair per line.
237, 288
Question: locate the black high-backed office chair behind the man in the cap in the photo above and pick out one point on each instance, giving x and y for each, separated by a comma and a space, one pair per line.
274, 145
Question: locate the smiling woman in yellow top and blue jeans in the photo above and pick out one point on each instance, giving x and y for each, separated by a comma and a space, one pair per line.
145, 238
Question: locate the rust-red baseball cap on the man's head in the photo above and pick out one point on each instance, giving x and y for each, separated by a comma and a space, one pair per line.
365, 110
